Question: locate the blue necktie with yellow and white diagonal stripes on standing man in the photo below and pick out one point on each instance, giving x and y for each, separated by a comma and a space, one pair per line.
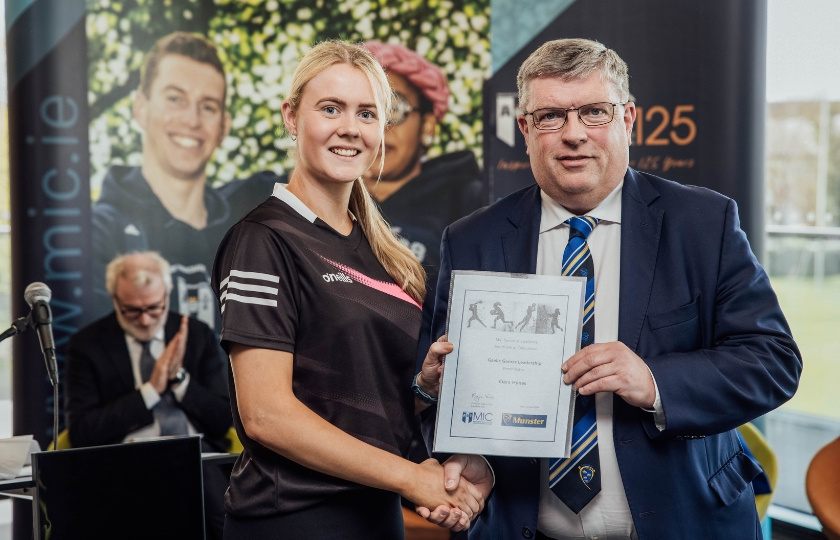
576, 480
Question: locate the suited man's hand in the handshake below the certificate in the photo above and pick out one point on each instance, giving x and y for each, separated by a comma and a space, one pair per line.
458, 469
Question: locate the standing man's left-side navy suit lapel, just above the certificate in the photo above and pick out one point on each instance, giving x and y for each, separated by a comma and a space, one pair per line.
519, 245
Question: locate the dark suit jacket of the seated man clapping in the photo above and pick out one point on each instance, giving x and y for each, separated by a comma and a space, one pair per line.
102, 403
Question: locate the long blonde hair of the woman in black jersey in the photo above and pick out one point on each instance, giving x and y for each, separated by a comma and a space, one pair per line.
398, 261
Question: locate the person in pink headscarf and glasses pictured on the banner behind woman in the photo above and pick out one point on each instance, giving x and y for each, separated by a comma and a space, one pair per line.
419, 197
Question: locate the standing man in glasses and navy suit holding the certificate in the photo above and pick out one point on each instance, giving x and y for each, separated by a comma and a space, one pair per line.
689, 339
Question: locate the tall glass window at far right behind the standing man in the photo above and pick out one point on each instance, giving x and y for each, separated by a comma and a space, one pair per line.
802, 225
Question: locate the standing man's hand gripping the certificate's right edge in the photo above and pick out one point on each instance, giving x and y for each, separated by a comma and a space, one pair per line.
611, 367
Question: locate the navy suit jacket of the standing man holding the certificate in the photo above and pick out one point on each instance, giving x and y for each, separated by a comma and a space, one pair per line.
698, 308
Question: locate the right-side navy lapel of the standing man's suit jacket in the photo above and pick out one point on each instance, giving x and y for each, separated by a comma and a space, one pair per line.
641, 227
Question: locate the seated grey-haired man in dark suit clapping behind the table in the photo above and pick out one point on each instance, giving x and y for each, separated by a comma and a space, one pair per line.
143, 371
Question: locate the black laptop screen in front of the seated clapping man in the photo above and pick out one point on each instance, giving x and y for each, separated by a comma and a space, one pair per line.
150, 489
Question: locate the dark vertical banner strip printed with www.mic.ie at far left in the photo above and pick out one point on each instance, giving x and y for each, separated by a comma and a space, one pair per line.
50, 195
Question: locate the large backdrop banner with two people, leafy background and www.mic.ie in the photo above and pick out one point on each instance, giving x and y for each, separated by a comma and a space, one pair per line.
84, 137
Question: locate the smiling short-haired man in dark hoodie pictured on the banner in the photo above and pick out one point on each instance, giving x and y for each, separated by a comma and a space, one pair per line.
165, 205
